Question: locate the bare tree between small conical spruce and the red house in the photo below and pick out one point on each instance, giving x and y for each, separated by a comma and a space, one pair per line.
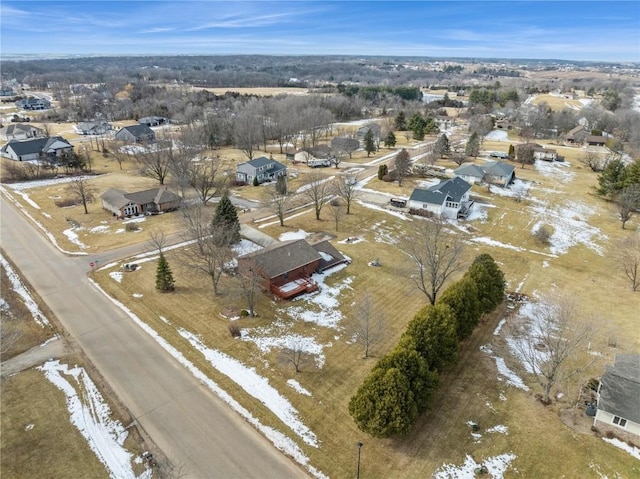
206, 251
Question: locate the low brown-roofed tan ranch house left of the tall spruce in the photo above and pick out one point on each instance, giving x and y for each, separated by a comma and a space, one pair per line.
156, 200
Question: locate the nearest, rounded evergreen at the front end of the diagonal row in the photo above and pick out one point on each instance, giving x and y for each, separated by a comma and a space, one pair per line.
384, 405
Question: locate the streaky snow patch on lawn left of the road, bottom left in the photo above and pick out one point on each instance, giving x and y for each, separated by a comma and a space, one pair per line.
91, 415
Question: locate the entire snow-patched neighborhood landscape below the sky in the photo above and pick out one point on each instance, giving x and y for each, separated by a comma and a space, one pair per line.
358, 266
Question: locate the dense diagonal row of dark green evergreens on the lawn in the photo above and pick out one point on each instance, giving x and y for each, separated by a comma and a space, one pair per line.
401, 385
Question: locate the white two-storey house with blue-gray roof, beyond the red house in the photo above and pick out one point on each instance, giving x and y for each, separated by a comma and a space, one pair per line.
449, 198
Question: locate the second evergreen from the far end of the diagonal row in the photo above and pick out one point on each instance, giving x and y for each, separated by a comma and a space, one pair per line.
462, 298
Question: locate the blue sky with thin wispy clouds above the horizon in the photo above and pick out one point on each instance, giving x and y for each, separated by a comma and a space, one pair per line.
574, 30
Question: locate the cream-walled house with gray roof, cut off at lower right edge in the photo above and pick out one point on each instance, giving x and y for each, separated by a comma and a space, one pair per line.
619, 395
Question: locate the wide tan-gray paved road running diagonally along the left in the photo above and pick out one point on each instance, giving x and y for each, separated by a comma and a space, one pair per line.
186, 421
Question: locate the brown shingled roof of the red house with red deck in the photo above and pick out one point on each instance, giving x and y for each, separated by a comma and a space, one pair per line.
280, 258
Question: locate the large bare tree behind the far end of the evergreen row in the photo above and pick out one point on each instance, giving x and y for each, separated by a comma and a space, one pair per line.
435, 253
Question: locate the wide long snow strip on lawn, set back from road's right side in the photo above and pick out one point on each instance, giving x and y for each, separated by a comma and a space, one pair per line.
255, 385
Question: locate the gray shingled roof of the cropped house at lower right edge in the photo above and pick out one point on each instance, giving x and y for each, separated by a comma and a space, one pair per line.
620, 388
